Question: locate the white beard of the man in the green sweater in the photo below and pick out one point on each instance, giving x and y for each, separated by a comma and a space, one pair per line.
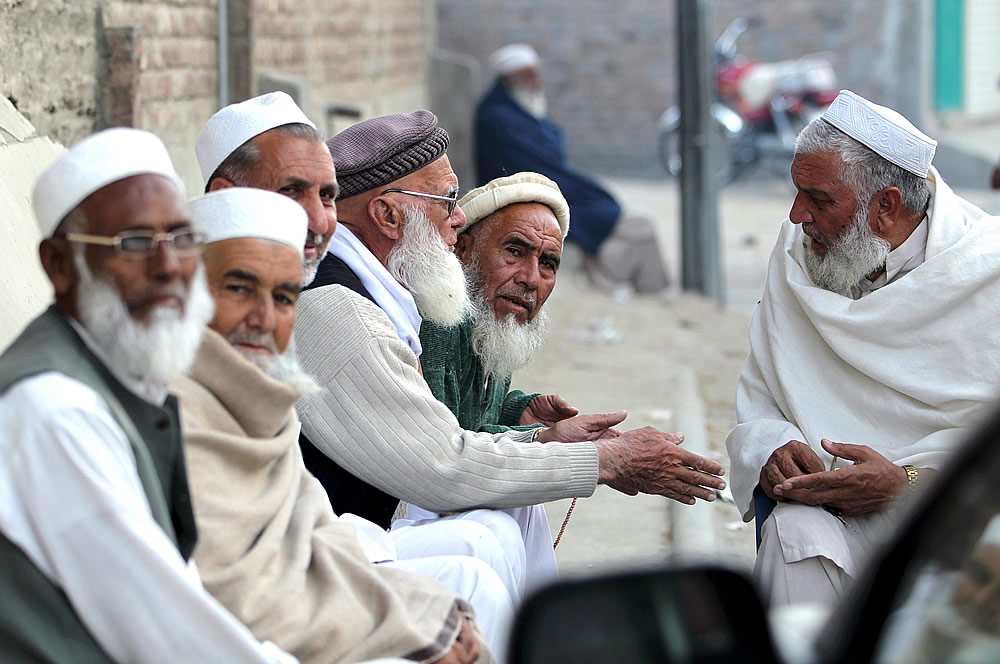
502, 346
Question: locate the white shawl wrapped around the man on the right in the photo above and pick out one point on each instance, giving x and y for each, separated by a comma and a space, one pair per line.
906, 370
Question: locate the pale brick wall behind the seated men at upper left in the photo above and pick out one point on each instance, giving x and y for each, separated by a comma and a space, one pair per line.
73, 66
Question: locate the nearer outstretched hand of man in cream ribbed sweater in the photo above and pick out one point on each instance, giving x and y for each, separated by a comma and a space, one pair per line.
648, 460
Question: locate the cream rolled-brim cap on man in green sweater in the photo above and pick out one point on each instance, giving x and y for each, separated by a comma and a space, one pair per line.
518, 188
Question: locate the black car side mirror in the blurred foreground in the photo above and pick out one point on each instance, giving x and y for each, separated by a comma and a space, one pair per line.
695, 615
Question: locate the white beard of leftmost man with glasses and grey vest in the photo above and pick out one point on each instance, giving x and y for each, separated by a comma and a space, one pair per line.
149, 352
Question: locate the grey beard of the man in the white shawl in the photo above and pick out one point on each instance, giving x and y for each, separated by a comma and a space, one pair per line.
849, 259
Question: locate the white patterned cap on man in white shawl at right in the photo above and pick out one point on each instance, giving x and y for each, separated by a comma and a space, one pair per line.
882, 129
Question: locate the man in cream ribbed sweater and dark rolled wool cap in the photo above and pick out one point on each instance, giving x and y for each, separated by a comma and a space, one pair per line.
375, 420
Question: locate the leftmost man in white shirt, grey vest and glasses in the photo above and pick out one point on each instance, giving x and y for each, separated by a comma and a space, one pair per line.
96, 526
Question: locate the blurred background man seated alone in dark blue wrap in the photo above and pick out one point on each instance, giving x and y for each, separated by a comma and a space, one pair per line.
514, 133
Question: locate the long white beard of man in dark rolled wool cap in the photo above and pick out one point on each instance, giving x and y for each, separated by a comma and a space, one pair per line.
427, 267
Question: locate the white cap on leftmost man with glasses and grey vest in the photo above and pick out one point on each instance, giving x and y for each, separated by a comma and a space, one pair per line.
93, 163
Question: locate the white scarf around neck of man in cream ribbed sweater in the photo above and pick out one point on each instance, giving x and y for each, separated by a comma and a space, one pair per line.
390, 296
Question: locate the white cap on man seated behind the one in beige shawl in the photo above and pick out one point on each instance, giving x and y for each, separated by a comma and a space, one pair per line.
236, 124
